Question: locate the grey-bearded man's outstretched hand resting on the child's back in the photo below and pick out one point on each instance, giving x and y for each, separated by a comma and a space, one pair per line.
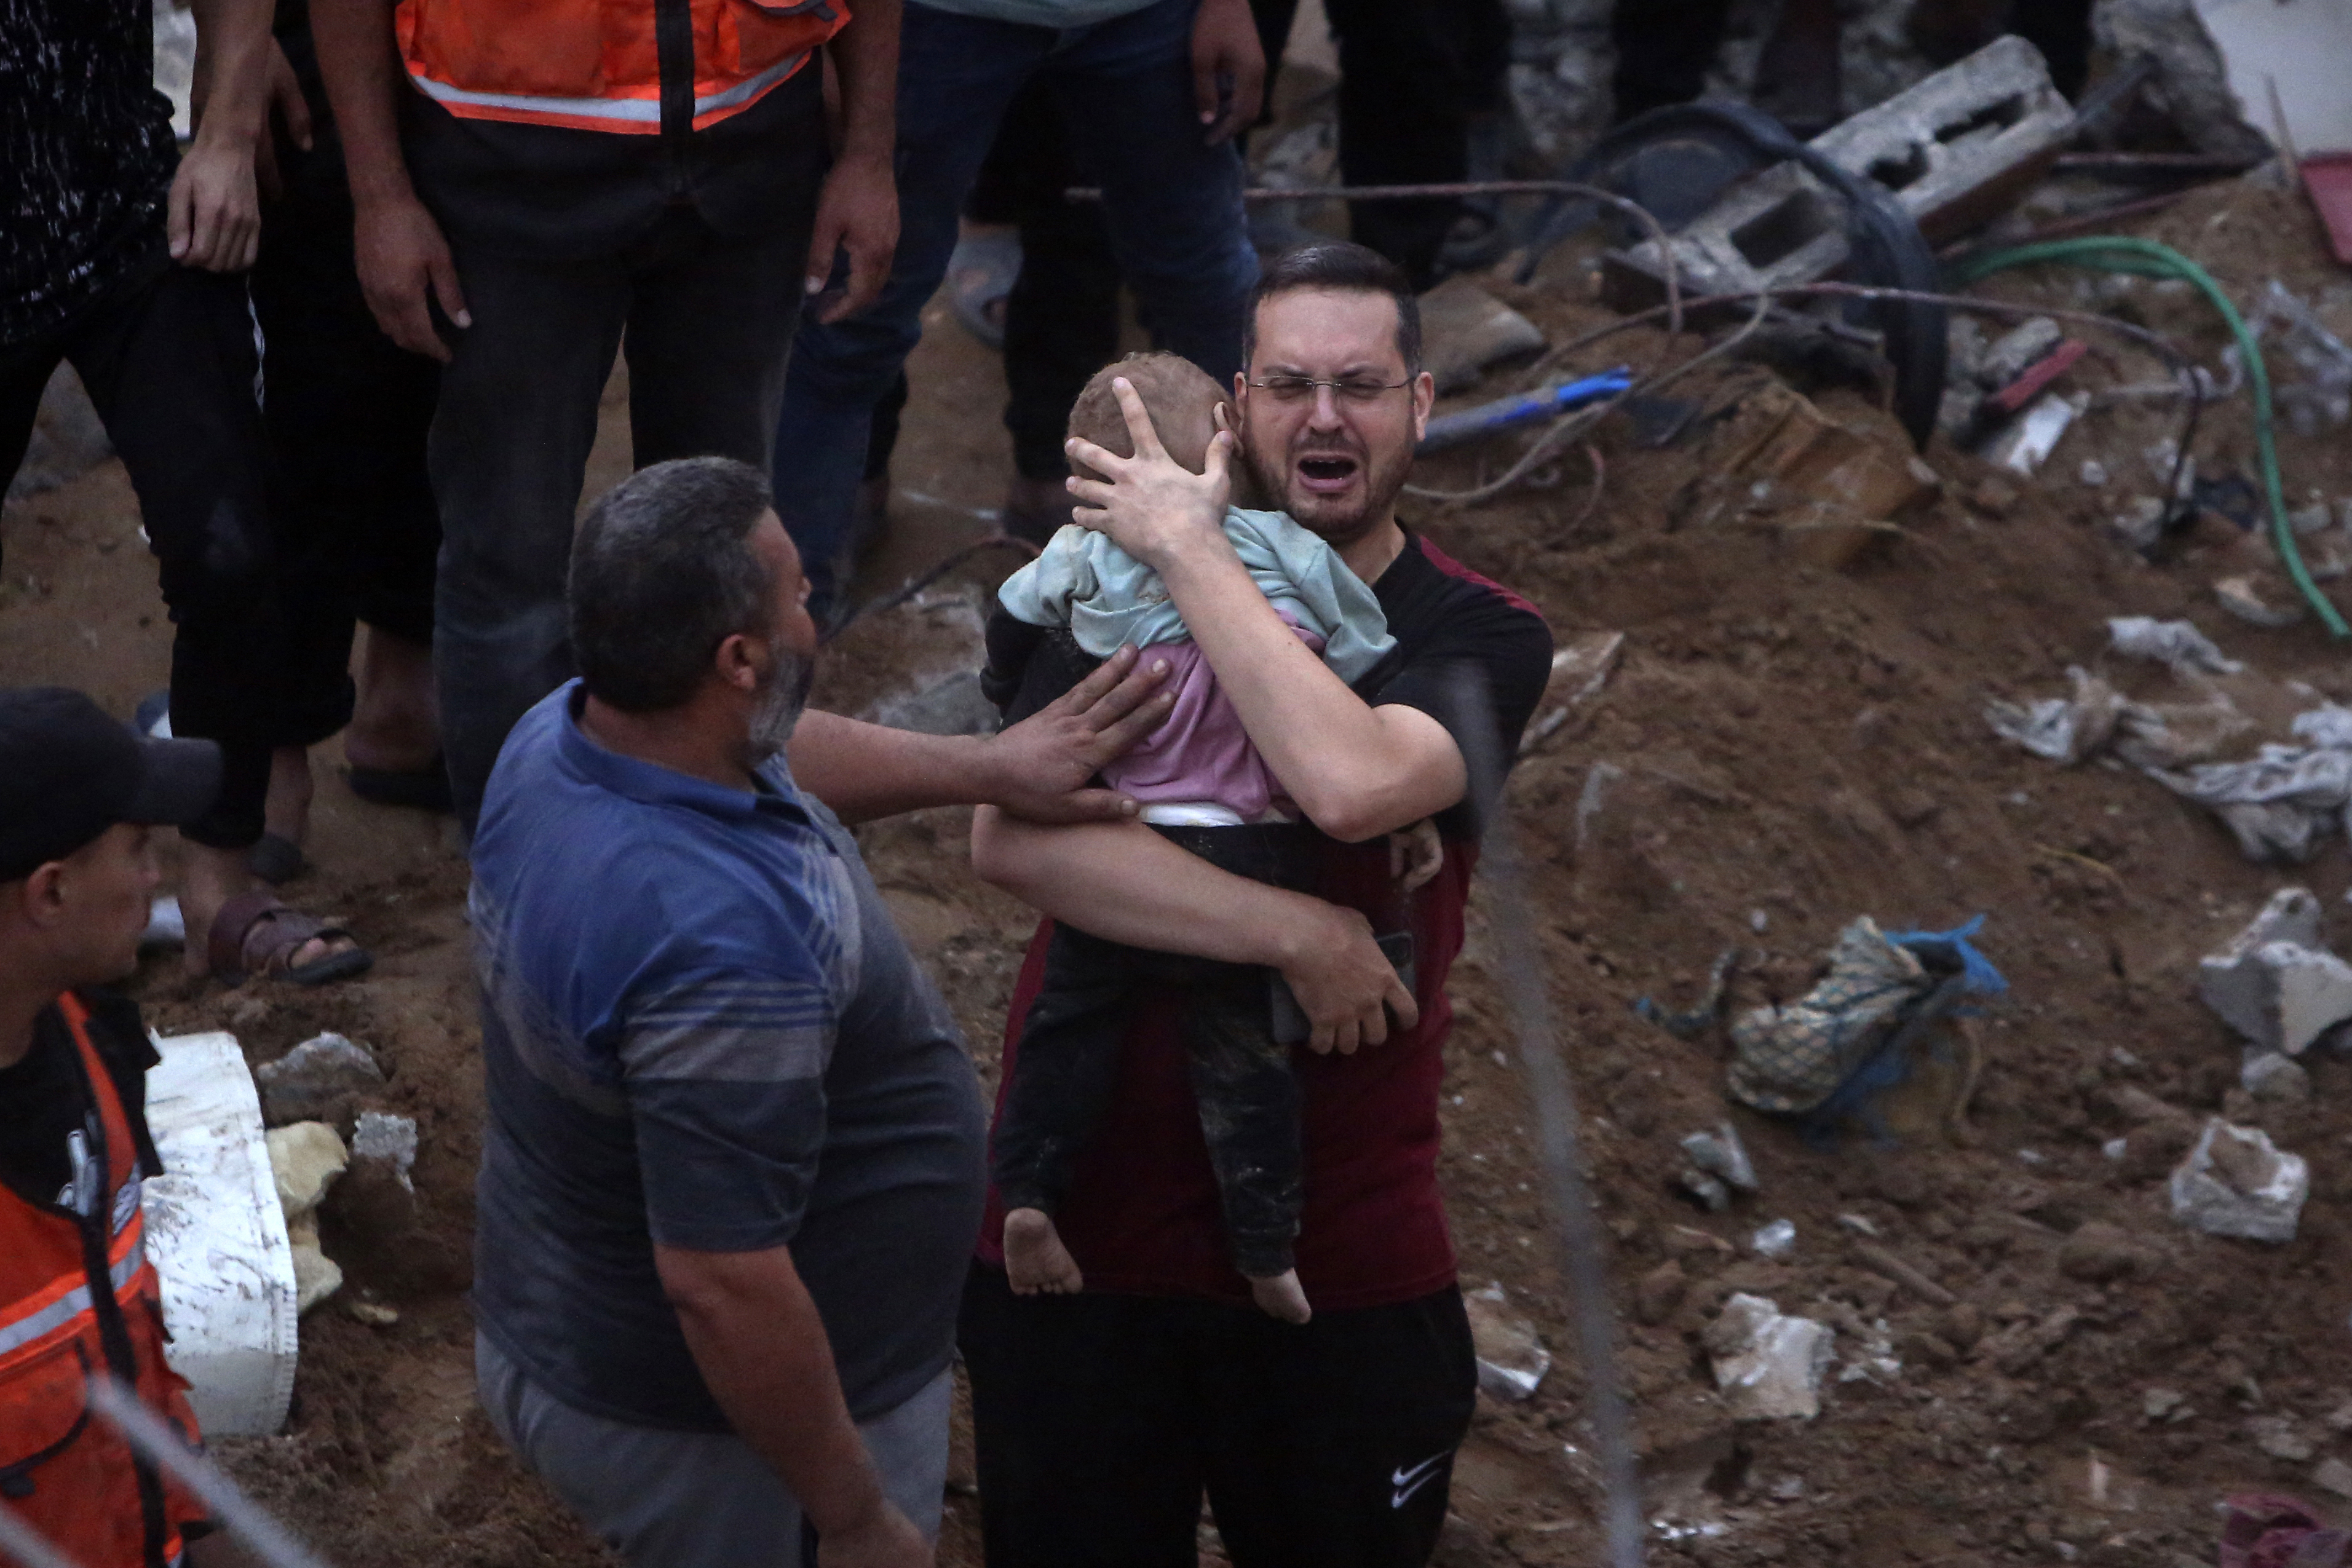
1043, 765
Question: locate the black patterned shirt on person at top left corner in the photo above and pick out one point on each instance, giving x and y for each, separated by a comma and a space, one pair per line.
86, 156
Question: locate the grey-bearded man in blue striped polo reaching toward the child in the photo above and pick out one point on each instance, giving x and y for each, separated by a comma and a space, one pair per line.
733, 1160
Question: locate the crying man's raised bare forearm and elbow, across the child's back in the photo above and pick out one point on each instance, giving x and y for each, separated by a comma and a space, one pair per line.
1358, 772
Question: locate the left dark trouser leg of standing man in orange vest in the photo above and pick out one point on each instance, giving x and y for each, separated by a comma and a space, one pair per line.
509, 448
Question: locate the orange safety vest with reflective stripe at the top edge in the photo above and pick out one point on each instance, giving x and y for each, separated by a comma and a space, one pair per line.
599, 65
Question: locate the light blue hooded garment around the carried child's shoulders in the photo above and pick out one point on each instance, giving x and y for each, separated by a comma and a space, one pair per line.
1109, 598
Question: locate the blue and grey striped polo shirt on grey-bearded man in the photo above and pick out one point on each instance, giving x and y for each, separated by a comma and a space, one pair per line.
702, 1031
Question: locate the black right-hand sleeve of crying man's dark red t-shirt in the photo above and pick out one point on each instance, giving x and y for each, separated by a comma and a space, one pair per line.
1481, 671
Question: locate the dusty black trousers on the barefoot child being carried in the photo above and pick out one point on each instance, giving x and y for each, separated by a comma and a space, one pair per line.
1069, 1061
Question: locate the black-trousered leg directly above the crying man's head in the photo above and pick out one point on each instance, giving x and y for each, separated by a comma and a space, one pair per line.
1403, 121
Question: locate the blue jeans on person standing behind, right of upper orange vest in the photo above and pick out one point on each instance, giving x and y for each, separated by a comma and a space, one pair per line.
1175, 208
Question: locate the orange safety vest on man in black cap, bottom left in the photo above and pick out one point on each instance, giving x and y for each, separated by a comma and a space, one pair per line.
79, 1301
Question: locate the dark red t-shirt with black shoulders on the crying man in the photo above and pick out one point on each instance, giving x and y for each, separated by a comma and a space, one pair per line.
1144, 1209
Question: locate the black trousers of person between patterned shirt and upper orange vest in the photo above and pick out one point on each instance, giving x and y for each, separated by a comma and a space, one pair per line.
347, 415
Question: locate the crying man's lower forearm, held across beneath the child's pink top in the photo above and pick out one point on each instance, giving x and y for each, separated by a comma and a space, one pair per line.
1130, 885
